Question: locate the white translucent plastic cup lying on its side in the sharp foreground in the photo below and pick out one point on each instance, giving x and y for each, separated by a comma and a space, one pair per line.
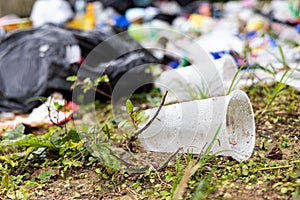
193, 125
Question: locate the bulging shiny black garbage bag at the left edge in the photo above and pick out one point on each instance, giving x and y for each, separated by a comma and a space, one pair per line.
33, 63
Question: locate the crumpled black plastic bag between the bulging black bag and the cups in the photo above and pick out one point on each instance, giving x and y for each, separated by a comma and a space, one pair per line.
118, 54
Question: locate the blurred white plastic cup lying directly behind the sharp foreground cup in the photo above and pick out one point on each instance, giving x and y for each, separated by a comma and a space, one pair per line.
186, 84
